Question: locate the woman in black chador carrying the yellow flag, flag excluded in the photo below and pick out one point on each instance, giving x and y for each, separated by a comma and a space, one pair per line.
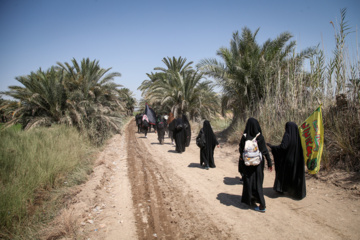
289, 163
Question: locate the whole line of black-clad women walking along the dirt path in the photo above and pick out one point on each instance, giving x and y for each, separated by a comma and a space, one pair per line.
288, 157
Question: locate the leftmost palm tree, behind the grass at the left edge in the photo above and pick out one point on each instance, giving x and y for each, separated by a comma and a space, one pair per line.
42, 100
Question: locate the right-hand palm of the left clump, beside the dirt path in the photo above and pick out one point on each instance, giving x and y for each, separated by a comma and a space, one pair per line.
93, 98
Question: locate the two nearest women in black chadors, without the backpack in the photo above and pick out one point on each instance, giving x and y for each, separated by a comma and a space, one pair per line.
289, 165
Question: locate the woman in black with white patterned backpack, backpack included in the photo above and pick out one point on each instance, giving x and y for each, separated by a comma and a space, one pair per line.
251, 166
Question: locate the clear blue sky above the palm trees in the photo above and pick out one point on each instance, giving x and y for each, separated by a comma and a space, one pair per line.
132, 37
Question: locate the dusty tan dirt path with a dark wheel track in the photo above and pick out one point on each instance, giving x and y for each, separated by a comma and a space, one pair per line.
143, 190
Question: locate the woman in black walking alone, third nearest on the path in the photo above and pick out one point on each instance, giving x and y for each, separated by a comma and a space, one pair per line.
207, 152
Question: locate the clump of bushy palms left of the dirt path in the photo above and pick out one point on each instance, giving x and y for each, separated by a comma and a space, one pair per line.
82, 95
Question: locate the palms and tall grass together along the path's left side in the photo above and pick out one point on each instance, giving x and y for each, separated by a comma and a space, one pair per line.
49, 133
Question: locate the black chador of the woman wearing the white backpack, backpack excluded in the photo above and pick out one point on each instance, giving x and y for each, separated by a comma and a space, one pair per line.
253, 176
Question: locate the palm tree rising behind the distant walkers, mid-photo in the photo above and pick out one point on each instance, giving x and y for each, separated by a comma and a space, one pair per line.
178, 88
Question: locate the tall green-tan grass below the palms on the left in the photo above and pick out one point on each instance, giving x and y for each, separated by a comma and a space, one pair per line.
34, 162
